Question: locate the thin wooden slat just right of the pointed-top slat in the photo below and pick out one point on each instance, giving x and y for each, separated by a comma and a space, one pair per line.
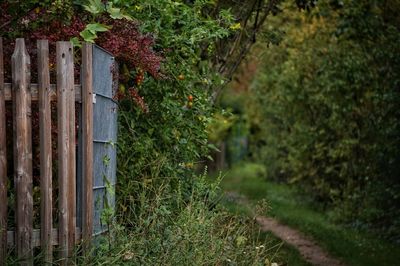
46, 219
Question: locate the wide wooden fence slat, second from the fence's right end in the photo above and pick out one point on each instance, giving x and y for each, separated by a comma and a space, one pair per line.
65, 75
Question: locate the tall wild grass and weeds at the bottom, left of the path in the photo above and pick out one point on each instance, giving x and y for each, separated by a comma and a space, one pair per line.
172, 230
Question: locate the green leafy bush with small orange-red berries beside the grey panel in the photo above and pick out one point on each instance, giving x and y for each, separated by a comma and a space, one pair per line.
164, 144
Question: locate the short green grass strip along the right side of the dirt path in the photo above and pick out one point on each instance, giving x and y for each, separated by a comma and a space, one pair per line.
288, 206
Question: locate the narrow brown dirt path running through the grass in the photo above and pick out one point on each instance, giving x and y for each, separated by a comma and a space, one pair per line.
310, 251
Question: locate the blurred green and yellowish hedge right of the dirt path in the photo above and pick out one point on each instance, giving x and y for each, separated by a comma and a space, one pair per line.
330, 108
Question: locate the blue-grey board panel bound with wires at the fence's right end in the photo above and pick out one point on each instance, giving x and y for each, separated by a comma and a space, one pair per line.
104, 136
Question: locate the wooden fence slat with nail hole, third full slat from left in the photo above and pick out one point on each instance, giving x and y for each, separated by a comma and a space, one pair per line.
62, 55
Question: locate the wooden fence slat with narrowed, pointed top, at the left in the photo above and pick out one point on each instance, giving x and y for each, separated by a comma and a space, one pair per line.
22, 151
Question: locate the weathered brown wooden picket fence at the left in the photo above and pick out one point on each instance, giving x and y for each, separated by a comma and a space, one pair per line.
21, 92
